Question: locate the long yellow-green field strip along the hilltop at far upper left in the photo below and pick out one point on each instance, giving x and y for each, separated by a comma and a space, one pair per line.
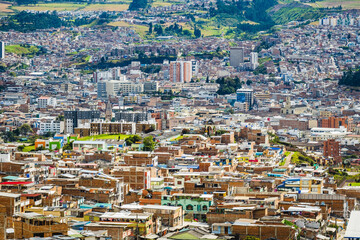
51, 7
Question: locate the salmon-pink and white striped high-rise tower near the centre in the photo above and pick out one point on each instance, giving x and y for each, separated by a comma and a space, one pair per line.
180, 71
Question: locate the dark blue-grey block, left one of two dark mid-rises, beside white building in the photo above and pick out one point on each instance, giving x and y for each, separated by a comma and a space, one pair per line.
76, 118
